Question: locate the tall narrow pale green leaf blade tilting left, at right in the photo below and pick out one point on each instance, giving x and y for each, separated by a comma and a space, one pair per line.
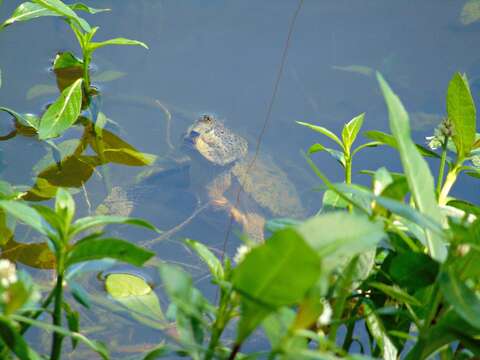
416, 169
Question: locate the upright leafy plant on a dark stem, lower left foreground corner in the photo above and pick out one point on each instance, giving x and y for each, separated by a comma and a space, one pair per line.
60, 229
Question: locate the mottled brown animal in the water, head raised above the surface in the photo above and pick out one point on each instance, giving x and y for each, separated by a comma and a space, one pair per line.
263, 184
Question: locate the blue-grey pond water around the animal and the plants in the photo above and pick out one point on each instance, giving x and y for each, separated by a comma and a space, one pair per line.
222, 57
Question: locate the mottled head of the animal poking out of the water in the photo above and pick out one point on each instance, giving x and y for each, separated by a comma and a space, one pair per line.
210, 139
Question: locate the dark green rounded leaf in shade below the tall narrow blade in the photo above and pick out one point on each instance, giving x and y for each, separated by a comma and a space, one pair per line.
413, 270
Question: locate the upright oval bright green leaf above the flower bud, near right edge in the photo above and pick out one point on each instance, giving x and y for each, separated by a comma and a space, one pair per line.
461, 112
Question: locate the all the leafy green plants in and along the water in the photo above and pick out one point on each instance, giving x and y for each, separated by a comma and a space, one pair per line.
386, 271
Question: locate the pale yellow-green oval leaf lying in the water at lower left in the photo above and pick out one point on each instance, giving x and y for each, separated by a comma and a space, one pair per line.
137, 296
